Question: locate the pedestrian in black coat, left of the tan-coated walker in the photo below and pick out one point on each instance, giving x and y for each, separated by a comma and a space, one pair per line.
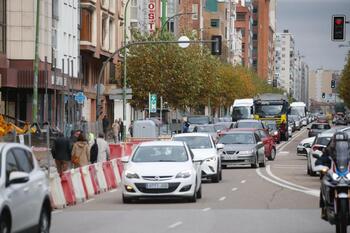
61, 153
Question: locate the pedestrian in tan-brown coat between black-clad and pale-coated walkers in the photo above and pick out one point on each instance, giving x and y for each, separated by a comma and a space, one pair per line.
80, 152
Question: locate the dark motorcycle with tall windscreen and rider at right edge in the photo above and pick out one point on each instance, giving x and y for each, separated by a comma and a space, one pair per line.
335, 185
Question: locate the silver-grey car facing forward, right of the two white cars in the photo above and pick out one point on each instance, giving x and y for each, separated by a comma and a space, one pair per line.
242, 147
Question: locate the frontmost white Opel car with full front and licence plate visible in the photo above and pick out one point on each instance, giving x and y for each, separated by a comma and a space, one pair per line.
161, 169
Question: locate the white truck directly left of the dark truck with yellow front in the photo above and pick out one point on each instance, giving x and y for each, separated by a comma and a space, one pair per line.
242, 109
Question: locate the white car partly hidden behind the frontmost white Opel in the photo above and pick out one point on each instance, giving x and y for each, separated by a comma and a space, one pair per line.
203, 147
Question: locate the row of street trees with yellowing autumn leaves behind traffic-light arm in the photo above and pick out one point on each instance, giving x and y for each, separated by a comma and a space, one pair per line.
186, 78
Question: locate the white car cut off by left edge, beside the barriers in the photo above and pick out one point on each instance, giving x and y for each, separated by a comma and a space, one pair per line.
24, 191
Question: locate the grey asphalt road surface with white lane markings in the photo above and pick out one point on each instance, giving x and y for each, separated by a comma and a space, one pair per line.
278, 198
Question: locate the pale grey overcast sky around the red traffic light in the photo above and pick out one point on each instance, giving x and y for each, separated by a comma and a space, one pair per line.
310, 23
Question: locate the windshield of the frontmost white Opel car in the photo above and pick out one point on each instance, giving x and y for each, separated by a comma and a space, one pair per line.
145, 154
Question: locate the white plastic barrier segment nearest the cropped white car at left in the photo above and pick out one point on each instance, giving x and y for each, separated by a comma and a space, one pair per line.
57, 195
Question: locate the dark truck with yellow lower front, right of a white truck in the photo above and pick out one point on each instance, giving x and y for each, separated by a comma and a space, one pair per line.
273, 107
